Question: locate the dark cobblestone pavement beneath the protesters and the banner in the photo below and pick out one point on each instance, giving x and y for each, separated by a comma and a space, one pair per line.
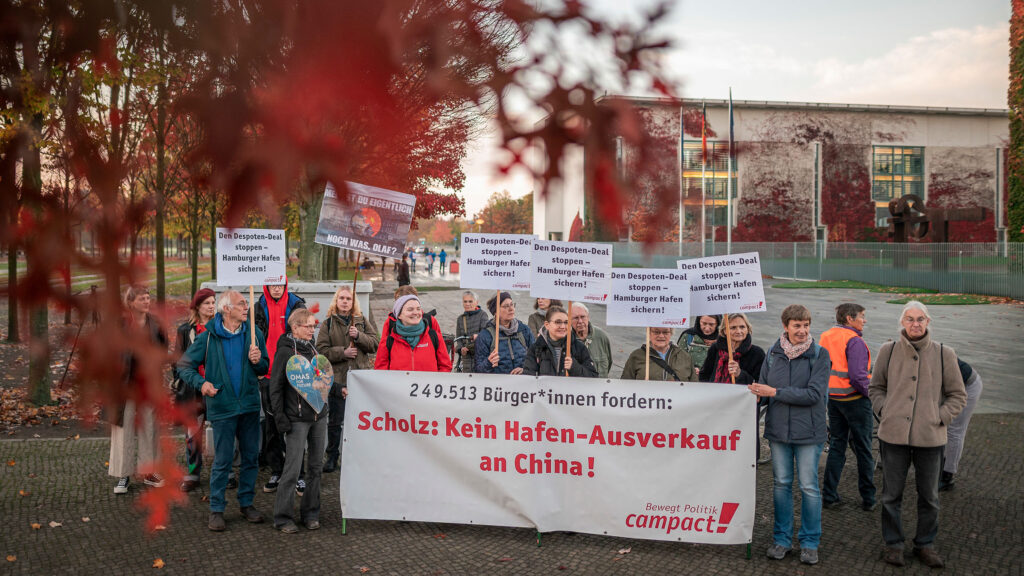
66, 481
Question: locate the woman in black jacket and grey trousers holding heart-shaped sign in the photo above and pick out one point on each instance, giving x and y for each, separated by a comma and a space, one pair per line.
304, 428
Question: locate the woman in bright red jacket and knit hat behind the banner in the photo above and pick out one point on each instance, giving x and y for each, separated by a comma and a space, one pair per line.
412, 343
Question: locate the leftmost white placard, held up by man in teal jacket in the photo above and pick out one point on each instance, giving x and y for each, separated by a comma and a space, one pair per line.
250, 257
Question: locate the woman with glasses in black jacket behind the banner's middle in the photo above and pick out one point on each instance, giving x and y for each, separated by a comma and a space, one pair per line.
547, 357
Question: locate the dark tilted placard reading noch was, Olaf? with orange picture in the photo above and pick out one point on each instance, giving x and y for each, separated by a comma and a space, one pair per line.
375, 221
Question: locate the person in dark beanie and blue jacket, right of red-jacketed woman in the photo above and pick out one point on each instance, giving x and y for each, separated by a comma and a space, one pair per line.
515, 340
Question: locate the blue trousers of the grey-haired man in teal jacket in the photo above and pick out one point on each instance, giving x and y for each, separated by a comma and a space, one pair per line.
245, 429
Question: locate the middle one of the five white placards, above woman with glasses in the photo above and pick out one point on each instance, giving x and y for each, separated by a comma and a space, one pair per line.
579, 272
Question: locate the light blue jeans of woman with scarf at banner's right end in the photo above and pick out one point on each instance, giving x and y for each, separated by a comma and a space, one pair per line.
807, 457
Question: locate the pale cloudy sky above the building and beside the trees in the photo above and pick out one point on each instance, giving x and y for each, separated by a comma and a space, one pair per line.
920, 53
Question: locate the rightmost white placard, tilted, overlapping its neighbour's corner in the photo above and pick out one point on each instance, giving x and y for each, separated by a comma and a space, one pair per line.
726, 284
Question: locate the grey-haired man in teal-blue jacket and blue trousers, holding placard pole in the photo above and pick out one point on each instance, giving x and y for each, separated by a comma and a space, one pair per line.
232, 392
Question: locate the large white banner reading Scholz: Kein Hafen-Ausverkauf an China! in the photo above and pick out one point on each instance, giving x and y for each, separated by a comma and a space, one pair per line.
636, 460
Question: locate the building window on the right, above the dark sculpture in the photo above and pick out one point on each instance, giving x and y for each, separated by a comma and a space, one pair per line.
895, 172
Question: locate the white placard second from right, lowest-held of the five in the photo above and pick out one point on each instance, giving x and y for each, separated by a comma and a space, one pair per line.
650, 298
